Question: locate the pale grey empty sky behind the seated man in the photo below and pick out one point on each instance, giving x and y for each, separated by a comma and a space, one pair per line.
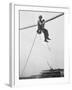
42, 52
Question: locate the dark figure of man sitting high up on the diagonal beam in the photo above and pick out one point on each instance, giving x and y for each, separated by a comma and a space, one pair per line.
41, 24
